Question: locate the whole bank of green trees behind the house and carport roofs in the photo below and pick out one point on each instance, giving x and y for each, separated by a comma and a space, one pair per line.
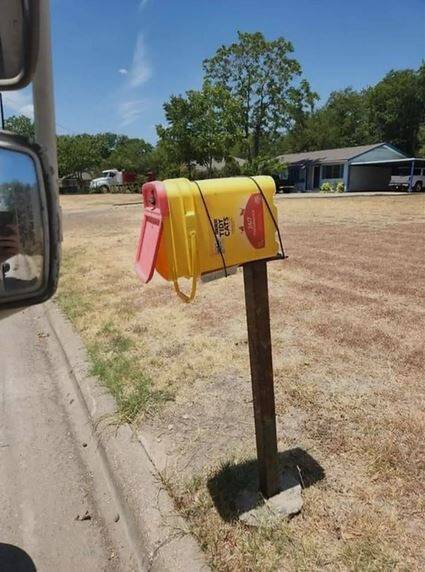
393, 110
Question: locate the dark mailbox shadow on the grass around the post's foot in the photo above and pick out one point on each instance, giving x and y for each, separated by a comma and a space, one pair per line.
233, 479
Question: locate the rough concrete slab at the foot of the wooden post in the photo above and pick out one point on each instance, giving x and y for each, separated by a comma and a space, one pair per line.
257, 511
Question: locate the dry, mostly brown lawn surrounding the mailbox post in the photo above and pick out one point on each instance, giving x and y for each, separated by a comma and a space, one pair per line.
348, 331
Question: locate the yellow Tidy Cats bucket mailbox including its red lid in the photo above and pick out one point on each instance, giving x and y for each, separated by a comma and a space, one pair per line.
192, 228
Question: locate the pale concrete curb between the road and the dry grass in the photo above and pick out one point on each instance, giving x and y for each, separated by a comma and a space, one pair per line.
158, 535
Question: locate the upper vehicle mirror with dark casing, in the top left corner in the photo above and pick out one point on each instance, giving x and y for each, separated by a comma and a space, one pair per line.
19, 21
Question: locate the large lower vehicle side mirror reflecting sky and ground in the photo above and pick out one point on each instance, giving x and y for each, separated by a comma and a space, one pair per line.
29, 225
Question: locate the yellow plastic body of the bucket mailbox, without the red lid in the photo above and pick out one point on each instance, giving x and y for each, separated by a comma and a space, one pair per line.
188, 247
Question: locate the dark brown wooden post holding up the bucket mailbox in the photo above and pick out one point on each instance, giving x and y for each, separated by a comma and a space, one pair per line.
260, 355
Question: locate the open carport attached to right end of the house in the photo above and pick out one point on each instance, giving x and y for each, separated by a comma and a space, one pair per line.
376, 175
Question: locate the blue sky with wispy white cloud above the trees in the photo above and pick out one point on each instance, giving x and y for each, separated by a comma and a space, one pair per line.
117, 61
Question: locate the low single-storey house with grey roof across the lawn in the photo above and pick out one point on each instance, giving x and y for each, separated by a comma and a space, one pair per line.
366, 167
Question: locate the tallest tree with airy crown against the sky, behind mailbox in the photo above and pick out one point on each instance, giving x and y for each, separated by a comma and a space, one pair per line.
262, 77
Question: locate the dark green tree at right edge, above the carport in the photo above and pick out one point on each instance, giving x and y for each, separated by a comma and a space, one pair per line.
397, 108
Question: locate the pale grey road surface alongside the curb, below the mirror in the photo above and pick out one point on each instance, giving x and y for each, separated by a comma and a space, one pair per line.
57, 511
